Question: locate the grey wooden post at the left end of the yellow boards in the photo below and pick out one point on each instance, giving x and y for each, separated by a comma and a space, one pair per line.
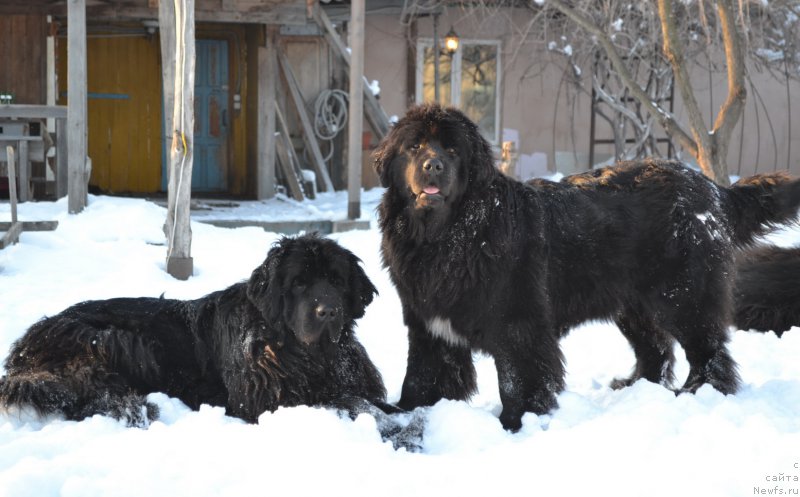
77, 105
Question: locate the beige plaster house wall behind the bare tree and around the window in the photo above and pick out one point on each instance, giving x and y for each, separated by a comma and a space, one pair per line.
553, 119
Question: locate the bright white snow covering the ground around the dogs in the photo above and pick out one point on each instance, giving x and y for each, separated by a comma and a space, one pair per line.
639, 441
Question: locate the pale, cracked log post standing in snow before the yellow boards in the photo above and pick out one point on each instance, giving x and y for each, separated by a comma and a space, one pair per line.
179, 18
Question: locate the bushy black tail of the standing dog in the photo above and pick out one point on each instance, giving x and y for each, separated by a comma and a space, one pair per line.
760, 203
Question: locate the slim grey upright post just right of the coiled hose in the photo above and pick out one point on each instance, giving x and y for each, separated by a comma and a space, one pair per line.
356, 110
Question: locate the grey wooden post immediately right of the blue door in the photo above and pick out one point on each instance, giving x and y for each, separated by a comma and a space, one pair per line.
267, 90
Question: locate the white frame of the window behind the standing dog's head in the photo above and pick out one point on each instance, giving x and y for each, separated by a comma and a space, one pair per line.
455, 79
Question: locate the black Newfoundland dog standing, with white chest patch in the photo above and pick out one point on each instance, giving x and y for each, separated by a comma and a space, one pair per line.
481, 261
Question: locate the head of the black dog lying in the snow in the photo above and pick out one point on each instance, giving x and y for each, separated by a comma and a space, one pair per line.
310, 287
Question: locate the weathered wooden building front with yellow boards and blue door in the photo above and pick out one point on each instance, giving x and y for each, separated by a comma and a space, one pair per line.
127, 139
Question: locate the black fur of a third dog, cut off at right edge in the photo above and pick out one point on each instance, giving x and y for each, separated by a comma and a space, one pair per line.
767, 290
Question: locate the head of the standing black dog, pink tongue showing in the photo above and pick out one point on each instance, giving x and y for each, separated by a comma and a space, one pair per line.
432, 156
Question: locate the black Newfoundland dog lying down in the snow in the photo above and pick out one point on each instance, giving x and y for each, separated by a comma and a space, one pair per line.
283, 338
